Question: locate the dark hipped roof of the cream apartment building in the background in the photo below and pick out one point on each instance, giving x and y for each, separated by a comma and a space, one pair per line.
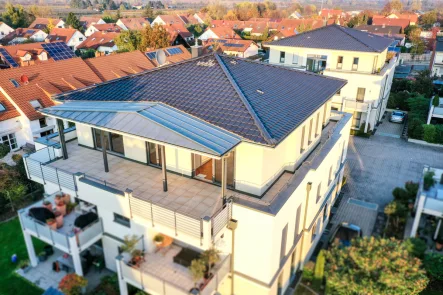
337, 38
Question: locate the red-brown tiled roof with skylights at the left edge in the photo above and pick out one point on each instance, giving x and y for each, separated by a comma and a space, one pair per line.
45, 80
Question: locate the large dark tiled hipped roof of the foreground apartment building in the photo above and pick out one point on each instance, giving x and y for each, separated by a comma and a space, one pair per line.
260, 102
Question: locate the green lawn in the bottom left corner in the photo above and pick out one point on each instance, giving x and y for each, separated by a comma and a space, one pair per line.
12, 242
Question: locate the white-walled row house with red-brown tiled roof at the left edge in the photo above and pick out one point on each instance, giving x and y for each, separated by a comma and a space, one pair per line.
29, 89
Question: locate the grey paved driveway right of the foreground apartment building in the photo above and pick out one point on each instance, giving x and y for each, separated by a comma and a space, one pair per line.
375, 166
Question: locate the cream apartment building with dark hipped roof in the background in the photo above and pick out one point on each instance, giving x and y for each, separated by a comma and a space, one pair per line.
359, 57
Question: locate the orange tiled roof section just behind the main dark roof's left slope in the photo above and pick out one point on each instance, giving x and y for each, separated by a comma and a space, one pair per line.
118, 65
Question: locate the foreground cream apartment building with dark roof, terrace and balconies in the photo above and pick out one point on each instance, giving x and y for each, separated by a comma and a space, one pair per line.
214, 151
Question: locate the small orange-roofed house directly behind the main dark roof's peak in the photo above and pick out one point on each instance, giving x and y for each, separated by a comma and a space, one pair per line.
233, 47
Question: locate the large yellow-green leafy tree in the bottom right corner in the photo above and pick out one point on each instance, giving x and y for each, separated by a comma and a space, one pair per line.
374, 266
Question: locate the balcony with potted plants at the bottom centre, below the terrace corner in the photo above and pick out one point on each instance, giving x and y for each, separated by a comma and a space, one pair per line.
159, 274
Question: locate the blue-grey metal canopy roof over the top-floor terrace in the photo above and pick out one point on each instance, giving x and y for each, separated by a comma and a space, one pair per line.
151, 121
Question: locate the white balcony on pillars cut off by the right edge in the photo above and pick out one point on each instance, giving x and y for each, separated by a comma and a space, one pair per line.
429, 201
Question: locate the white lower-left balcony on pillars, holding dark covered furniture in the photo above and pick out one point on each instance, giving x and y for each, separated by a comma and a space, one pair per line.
67, 236
